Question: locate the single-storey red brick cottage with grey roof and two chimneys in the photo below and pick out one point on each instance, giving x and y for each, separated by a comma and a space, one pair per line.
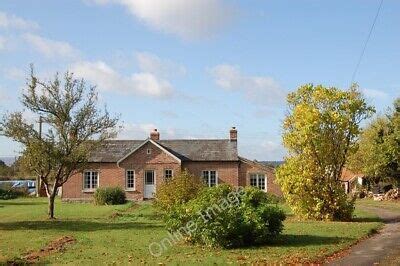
140, 166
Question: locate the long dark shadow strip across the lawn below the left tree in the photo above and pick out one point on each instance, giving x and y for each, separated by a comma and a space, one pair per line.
75, 225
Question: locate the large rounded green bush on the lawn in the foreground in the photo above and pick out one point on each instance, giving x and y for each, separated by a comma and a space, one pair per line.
225, 217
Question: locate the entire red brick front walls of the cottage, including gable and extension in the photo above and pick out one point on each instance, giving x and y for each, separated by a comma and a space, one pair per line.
232, 173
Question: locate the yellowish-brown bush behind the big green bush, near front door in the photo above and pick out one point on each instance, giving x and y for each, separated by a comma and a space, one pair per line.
180, 189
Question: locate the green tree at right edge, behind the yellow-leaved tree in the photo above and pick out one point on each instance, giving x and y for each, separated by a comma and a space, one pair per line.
378, 156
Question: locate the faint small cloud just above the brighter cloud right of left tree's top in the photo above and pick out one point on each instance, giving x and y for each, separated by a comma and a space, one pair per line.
151, 63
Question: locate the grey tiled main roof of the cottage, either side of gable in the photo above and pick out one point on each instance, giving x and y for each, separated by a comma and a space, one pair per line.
184, 149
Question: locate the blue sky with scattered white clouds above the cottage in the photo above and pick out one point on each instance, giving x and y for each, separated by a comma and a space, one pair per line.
195, 68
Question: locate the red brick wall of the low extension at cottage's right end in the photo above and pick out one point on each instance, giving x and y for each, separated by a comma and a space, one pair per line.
247, 168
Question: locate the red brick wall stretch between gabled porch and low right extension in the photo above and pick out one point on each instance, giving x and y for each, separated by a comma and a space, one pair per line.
227, 171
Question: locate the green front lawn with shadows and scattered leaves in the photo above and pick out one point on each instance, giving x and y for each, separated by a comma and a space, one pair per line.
104, 237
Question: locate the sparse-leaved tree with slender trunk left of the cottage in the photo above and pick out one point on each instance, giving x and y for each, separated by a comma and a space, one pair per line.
74, 126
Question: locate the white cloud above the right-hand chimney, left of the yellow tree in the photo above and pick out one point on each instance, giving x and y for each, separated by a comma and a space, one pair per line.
259, 89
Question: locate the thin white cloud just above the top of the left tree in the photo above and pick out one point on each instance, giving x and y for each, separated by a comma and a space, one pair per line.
51, 48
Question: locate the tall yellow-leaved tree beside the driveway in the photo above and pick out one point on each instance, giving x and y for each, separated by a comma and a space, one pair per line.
319, 132
